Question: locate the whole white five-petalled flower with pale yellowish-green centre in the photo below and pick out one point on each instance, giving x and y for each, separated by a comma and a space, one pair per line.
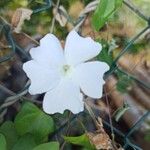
62, 74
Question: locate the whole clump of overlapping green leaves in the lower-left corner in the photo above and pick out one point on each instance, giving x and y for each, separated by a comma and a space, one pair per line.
30, 128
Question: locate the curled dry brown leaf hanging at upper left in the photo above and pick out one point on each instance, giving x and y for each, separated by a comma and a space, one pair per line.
20, 15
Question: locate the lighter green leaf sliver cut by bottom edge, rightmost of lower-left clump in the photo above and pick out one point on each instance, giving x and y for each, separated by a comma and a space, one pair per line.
48, 146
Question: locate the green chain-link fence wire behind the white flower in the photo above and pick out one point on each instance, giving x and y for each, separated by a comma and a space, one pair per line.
7, 30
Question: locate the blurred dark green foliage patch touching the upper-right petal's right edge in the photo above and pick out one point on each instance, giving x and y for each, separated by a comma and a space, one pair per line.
105, 55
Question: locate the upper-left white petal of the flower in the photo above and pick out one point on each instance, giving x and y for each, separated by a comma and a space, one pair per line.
49, 52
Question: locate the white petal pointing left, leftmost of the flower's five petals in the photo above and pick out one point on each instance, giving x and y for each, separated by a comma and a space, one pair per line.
42, 79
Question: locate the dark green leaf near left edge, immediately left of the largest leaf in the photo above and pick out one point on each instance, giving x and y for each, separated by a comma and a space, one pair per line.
9, 131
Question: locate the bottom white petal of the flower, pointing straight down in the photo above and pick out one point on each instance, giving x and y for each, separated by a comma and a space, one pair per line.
66, 96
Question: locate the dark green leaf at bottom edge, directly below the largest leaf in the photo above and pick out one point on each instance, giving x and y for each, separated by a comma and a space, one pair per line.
26, 142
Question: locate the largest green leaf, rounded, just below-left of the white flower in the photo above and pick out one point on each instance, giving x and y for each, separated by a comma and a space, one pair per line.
32, 120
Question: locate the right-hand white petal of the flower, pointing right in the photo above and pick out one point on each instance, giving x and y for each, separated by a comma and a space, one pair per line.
90, 77
